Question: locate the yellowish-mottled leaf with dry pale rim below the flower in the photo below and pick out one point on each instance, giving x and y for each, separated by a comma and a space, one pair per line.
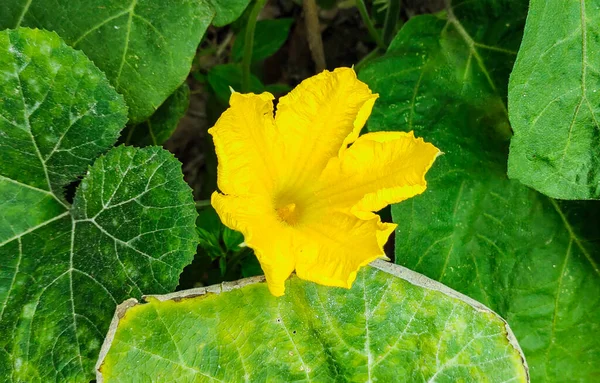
393, 325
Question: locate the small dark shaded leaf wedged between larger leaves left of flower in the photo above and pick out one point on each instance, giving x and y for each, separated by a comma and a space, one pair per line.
158, 128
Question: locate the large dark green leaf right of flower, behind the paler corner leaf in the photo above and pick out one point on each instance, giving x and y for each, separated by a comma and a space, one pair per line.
531, 259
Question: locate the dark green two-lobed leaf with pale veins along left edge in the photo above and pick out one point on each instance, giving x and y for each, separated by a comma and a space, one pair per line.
129, 230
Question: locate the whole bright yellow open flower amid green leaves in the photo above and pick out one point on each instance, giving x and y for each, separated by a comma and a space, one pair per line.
301, 196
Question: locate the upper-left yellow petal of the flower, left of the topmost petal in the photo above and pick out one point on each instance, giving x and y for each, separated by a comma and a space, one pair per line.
246, 144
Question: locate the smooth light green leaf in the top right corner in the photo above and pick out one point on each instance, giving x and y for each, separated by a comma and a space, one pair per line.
554, 101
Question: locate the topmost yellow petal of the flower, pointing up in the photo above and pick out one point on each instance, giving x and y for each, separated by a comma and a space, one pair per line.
319, 118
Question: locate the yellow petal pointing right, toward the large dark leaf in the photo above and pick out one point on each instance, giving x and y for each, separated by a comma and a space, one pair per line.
377, 170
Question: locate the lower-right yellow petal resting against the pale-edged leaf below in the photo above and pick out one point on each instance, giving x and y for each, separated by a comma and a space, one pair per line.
338, 244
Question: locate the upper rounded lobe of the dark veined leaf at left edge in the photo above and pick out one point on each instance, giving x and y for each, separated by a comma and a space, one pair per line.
55, 94
